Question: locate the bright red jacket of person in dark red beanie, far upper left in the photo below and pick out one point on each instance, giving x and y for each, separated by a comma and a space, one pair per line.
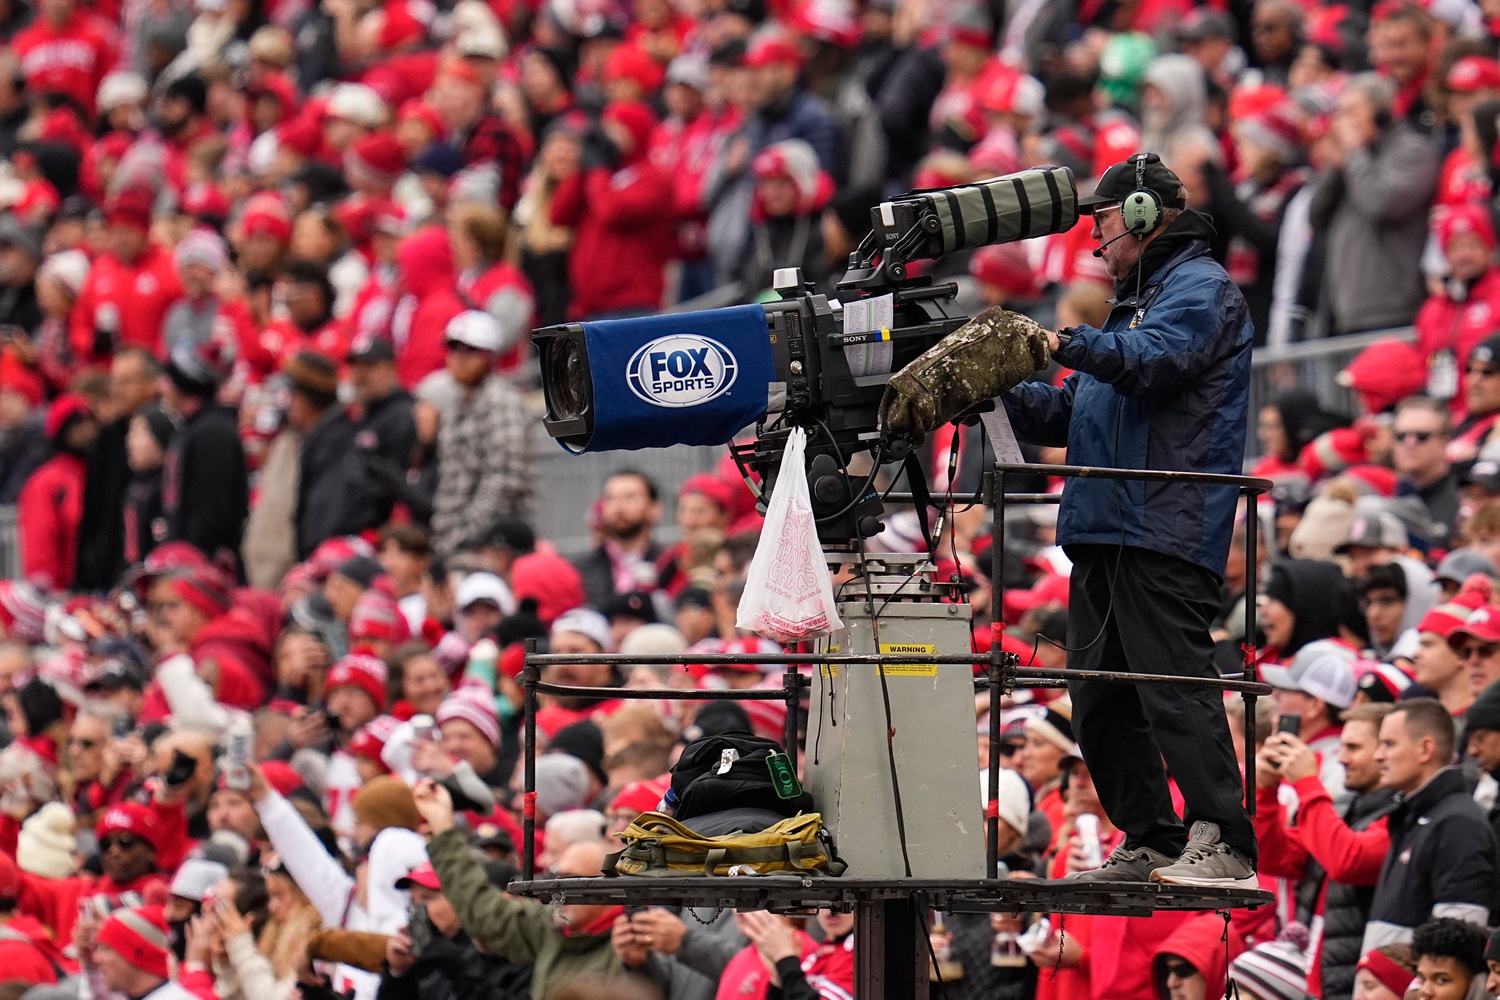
131, 298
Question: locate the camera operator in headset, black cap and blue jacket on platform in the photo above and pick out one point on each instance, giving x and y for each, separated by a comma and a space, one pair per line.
1163, 385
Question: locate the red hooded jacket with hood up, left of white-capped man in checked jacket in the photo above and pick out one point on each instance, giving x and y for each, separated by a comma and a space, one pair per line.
425, 263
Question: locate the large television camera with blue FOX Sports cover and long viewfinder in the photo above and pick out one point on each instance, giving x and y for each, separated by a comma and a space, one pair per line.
809, 361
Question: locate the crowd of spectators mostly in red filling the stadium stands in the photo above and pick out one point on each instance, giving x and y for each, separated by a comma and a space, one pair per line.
269, 419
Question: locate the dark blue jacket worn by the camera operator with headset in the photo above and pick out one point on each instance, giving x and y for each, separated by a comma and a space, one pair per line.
1169, 395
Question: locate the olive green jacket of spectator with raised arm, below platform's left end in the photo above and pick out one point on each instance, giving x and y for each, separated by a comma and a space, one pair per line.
517, 930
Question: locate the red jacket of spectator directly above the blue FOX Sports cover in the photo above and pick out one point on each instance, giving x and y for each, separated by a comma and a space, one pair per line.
625, 233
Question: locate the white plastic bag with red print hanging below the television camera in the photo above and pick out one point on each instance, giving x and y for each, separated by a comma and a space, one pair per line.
790, 594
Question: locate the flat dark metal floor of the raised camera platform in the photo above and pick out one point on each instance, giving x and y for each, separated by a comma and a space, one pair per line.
800, 894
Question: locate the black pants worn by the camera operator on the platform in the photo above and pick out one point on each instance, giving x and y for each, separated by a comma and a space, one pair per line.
1159, 624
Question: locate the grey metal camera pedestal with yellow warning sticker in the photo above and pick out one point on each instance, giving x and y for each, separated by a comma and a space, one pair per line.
898, 609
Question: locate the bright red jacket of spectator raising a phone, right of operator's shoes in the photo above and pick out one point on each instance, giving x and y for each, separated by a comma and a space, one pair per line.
1349, 857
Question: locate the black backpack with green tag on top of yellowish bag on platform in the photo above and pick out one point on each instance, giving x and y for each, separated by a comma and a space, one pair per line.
703, 783
